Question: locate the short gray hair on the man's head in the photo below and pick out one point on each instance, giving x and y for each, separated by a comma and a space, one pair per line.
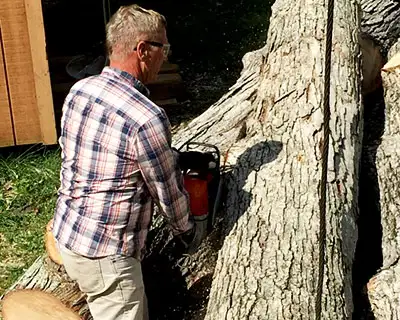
128, 25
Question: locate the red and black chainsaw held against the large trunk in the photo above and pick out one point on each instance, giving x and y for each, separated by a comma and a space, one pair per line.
202, 180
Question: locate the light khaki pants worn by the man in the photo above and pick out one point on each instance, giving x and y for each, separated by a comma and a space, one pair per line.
114, 285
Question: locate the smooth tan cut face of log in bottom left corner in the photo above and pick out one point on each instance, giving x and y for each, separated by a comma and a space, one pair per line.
35, 305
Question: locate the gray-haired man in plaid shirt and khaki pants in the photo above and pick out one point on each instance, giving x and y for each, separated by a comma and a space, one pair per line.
116, 160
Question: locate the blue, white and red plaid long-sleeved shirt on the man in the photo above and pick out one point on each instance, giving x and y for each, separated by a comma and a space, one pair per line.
116, 159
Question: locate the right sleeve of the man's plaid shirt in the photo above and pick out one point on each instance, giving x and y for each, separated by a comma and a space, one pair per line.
158, 165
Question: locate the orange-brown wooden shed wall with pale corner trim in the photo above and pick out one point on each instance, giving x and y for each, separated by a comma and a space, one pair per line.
26, 104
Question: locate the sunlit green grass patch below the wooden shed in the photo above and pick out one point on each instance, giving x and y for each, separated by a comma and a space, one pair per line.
28, 188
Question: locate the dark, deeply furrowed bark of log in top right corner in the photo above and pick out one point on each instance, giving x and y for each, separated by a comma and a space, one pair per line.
381, 20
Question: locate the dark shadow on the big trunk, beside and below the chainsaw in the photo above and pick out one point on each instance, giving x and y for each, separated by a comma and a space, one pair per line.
166, 268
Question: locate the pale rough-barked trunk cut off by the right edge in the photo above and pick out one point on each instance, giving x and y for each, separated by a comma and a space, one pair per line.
383, 289
